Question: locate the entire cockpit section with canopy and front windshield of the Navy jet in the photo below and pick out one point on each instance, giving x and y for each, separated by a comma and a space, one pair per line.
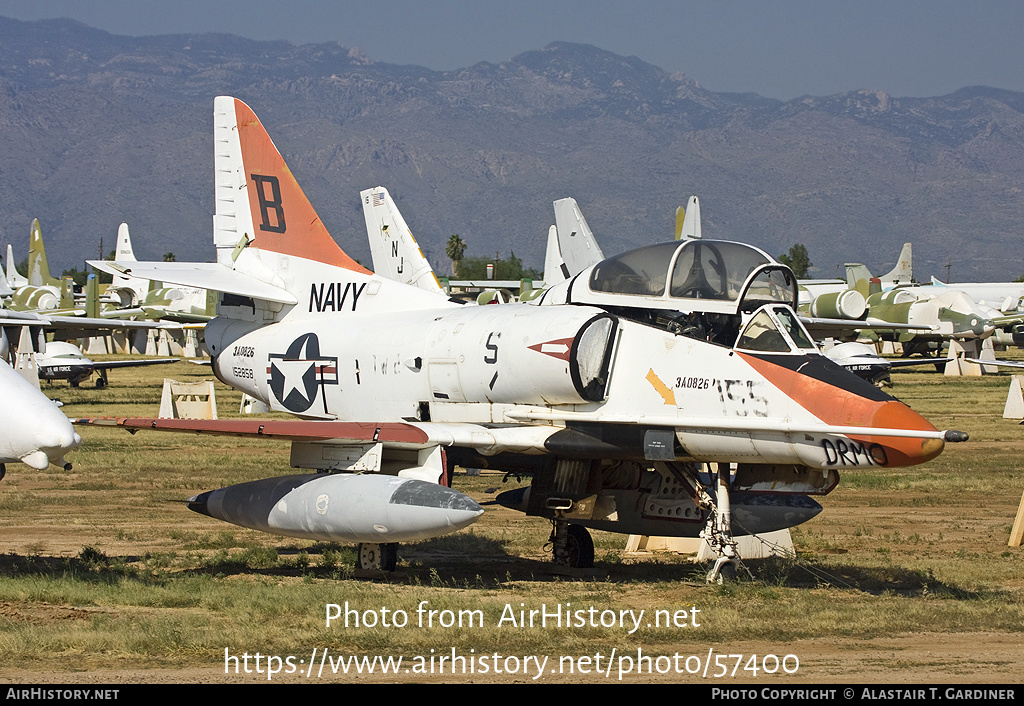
706, 289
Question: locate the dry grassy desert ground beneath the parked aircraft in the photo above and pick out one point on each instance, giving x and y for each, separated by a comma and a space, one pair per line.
107, 577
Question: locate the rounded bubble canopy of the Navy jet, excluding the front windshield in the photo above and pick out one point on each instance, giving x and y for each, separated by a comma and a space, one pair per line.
692, 276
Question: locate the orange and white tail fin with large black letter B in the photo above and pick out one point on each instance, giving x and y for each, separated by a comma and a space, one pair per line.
259, 202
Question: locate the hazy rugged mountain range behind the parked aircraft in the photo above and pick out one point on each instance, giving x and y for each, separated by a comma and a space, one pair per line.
100, 129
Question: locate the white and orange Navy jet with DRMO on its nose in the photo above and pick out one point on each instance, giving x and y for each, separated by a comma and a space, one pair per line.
612, 392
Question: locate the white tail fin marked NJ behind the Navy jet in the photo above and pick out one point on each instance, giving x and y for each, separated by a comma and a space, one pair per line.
396, 254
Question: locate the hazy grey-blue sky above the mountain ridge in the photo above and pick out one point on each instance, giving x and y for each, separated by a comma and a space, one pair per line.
781, 50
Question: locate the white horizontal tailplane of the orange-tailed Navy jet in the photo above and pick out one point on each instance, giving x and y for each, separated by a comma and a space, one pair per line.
201, 275
